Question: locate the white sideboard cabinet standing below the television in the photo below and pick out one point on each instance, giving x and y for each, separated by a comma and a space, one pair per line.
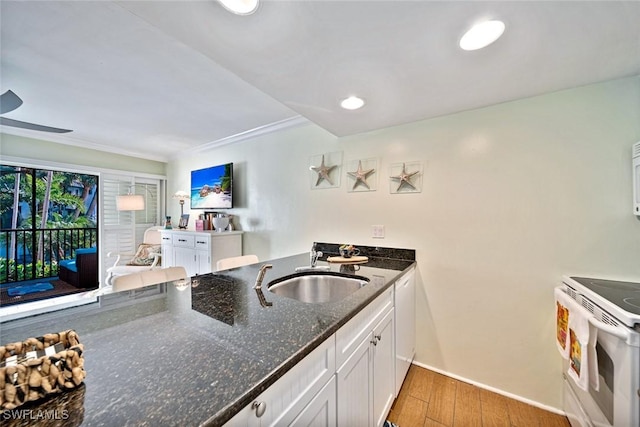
198, 252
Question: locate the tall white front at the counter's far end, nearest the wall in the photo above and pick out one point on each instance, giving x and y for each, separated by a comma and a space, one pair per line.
405, 326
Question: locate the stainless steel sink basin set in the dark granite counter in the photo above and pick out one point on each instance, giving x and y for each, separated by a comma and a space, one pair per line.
317, 287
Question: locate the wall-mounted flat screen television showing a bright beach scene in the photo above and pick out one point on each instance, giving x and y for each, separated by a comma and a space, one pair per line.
212, 188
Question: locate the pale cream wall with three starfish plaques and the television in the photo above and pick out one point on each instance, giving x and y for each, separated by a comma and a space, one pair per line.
514, 196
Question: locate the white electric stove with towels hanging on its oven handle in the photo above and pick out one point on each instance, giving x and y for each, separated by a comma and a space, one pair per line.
613, 310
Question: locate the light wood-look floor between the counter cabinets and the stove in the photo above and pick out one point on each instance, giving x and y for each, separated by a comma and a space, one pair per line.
430, 399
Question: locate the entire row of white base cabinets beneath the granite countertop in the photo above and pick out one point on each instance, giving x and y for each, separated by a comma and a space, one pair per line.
353, 377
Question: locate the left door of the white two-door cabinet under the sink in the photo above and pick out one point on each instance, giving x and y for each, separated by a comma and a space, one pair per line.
355, 386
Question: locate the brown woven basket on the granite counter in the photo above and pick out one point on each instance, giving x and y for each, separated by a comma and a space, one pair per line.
37, 367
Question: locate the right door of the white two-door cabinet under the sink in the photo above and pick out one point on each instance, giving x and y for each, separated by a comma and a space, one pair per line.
383, 364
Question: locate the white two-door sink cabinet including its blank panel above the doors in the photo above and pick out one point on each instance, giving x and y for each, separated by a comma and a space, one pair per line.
366, 378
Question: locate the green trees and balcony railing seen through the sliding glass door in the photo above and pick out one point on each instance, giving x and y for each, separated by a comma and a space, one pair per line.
67, 201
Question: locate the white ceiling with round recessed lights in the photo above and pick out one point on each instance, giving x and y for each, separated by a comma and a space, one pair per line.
154, 79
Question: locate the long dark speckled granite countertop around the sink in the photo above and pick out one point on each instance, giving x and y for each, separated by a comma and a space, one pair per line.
198, 355
